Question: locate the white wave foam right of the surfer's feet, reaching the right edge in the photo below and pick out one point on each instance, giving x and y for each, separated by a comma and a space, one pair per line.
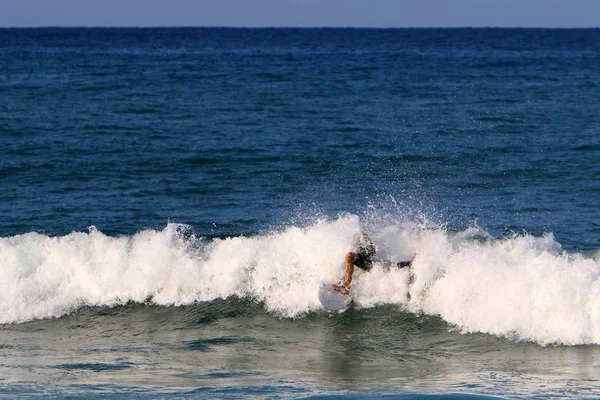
523, 287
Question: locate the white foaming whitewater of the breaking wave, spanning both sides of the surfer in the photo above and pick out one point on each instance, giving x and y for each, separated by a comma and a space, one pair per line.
522, 287
